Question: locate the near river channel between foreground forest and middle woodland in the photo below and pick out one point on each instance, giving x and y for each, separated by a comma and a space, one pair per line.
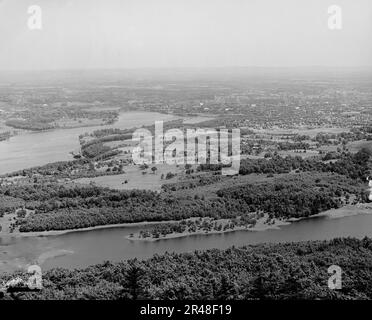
83, 248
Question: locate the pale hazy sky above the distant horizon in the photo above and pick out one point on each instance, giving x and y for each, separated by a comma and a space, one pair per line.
184, 33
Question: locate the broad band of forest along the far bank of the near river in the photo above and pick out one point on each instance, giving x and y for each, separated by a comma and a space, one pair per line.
296, 194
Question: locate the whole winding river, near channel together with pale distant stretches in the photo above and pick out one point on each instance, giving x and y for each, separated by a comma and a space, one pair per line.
83, 248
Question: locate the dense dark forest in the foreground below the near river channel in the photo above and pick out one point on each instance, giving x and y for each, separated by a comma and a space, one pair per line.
264, 271
